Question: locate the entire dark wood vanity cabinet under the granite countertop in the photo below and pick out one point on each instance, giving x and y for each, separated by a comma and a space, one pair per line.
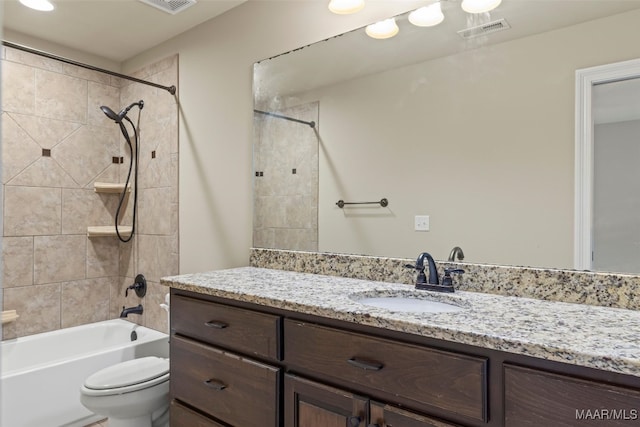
242, 365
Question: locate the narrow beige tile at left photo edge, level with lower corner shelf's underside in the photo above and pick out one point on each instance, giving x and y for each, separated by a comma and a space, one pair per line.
17, 261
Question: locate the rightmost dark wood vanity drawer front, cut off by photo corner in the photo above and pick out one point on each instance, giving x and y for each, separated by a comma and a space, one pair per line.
538, 398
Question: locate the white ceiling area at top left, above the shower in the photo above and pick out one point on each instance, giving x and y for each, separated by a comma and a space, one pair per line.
113, 29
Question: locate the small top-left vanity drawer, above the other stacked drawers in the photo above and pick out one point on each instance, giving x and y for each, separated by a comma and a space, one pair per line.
241, 330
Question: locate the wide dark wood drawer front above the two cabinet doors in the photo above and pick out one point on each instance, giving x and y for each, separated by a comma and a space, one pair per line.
405, 373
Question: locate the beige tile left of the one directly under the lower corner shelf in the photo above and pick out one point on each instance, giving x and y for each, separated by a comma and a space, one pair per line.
59, 258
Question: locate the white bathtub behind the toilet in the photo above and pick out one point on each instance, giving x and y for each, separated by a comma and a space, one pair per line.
41, 374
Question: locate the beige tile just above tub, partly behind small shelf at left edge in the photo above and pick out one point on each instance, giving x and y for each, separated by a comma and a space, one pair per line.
38, 307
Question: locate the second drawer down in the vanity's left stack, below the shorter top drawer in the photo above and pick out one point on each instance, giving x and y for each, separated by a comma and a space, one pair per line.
238, 391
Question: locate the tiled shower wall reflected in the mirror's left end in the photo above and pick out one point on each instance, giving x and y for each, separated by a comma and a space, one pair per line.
286, 180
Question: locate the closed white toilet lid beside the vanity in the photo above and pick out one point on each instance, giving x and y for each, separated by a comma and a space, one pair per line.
128, 373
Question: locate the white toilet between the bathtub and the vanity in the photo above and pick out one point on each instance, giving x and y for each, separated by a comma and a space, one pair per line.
134, 393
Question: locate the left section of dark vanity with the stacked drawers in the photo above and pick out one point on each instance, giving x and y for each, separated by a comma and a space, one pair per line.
224, 364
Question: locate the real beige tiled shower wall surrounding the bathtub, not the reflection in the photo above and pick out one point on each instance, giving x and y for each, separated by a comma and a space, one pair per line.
56, 143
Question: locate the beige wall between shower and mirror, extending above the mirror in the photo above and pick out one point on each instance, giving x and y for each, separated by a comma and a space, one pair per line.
216, 118
